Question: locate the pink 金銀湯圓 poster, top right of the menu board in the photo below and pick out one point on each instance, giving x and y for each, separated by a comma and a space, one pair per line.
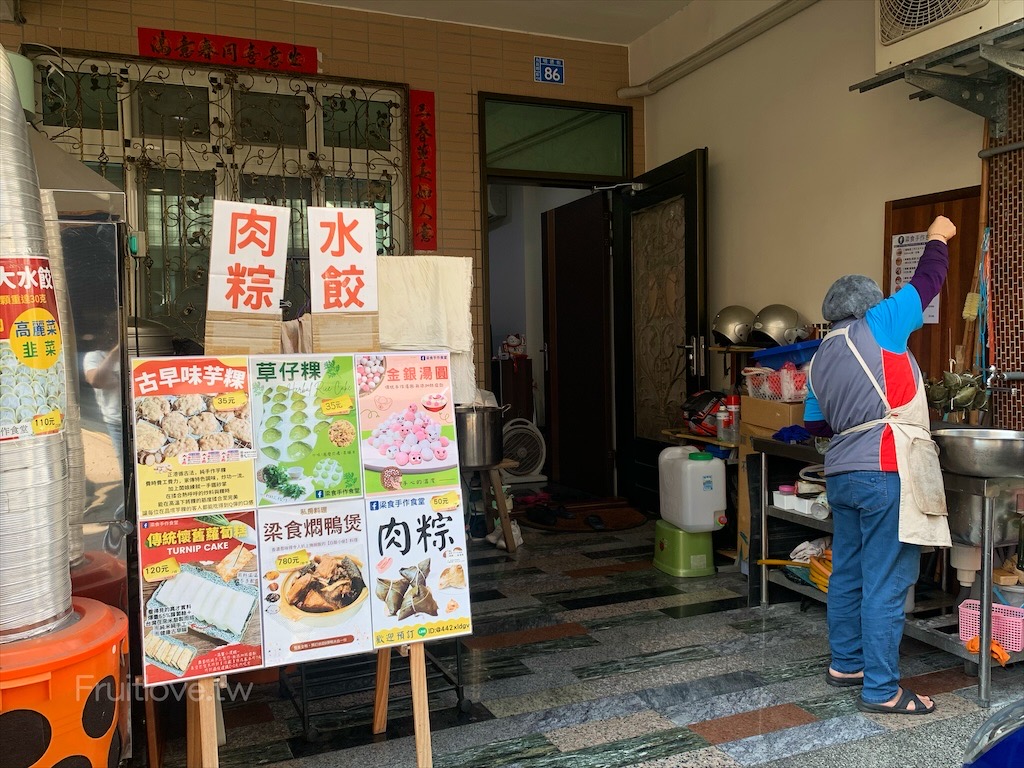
407, 422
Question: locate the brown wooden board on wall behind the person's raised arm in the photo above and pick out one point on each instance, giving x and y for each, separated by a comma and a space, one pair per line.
935, 345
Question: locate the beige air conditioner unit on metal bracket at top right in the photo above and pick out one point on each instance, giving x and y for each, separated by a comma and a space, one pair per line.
906, 30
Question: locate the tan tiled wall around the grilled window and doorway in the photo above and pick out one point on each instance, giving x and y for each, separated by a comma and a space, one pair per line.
455, 62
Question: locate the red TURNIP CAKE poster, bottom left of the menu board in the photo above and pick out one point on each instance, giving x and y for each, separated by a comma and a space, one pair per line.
200, 587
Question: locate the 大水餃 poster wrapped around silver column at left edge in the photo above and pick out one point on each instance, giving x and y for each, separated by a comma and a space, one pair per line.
33, 397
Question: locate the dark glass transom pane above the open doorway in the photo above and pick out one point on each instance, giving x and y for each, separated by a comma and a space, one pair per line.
549, 139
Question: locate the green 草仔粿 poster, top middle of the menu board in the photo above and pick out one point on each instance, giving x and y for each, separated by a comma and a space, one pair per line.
306, 429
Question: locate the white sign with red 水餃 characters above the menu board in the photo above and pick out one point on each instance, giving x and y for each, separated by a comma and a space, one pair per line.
344, 260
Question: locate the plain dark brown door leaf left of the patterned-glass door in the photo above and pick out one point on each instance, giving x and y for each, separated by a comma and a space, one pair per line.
576, 248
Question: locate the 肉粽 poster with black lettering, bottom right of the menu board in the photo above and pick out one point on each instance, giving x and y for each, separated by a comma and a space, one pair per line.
418, 552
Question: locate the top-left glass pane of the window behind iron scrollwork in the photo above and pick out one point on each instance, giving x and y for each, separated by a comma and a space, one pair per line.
80, 101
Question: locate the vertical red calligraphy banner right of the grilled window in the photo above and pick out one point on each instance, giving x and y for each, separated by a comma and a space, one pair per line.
424, 165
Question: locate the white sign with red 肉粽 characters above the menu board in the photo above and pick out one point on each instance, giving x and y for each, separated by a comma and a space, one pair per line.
248, 251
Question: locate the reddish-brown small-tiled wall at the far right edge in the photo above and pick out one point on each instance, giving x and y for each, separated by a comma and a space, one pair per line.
1006, 217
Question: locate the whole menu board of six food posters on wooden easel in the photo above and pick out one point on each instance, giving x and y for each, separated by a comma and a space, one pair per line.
295, 508
